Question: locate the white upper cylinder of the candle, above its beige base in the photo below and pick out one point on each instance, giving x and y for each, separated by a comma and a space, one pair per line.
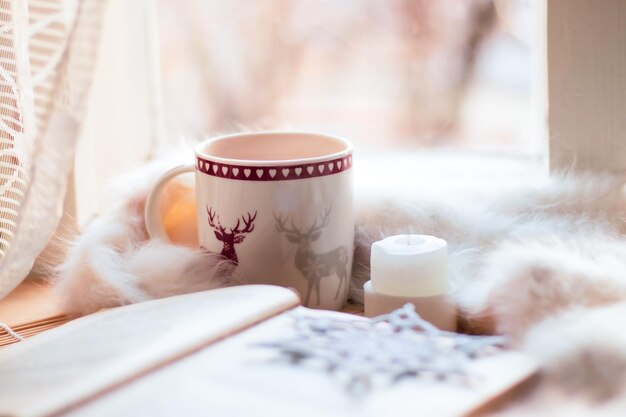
410, 266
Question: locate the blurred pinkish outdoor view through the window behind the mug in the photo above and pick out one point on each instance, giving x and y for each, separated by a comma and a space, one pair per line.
384, 73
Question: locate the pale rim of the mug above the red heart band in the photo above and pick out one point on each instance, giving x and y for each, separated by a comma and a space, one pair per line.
348, 148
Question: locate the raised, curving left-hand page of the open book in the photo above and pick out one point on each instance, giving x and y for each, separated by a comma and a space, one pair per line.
83, 358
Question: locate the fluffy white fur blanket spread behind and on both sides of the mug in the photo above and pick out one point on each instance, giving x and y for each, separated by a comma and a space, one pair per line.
540, 259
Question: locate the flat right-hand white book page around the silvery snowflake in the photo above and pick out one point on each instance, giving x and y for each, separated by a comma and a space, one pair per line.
237, 378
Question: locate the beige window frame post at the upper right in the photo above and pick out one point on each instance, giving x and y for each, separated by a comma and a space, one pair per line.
586, 63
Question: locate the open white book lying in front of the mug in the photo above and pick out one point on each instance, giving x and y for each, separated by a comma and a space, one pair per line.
199, 354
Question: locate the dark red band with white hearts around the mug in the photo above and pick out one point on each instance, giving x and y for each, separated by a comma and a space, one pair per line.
274, 173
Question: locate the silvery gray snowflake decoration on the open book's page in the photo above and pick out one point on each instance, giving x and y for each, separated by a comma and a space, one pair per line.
365, 354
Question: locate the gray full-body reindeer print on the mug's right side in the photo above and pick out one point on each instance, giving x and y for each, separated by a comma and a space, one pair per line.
312, 265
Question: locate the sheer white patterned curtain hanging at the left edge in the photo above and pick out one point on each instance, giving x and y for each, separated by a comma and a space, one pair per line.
47, 54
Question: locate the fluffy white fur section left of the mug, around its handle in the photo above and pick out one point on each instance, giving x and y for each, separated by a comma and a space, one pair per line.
114, 263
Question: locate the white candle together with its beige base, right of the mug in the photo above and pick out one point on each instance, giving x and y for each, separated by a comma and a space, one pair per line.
410, 269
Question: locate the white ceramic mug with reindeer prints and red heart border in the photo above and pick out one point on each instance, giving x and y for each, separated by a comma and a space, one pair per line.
279, 206
